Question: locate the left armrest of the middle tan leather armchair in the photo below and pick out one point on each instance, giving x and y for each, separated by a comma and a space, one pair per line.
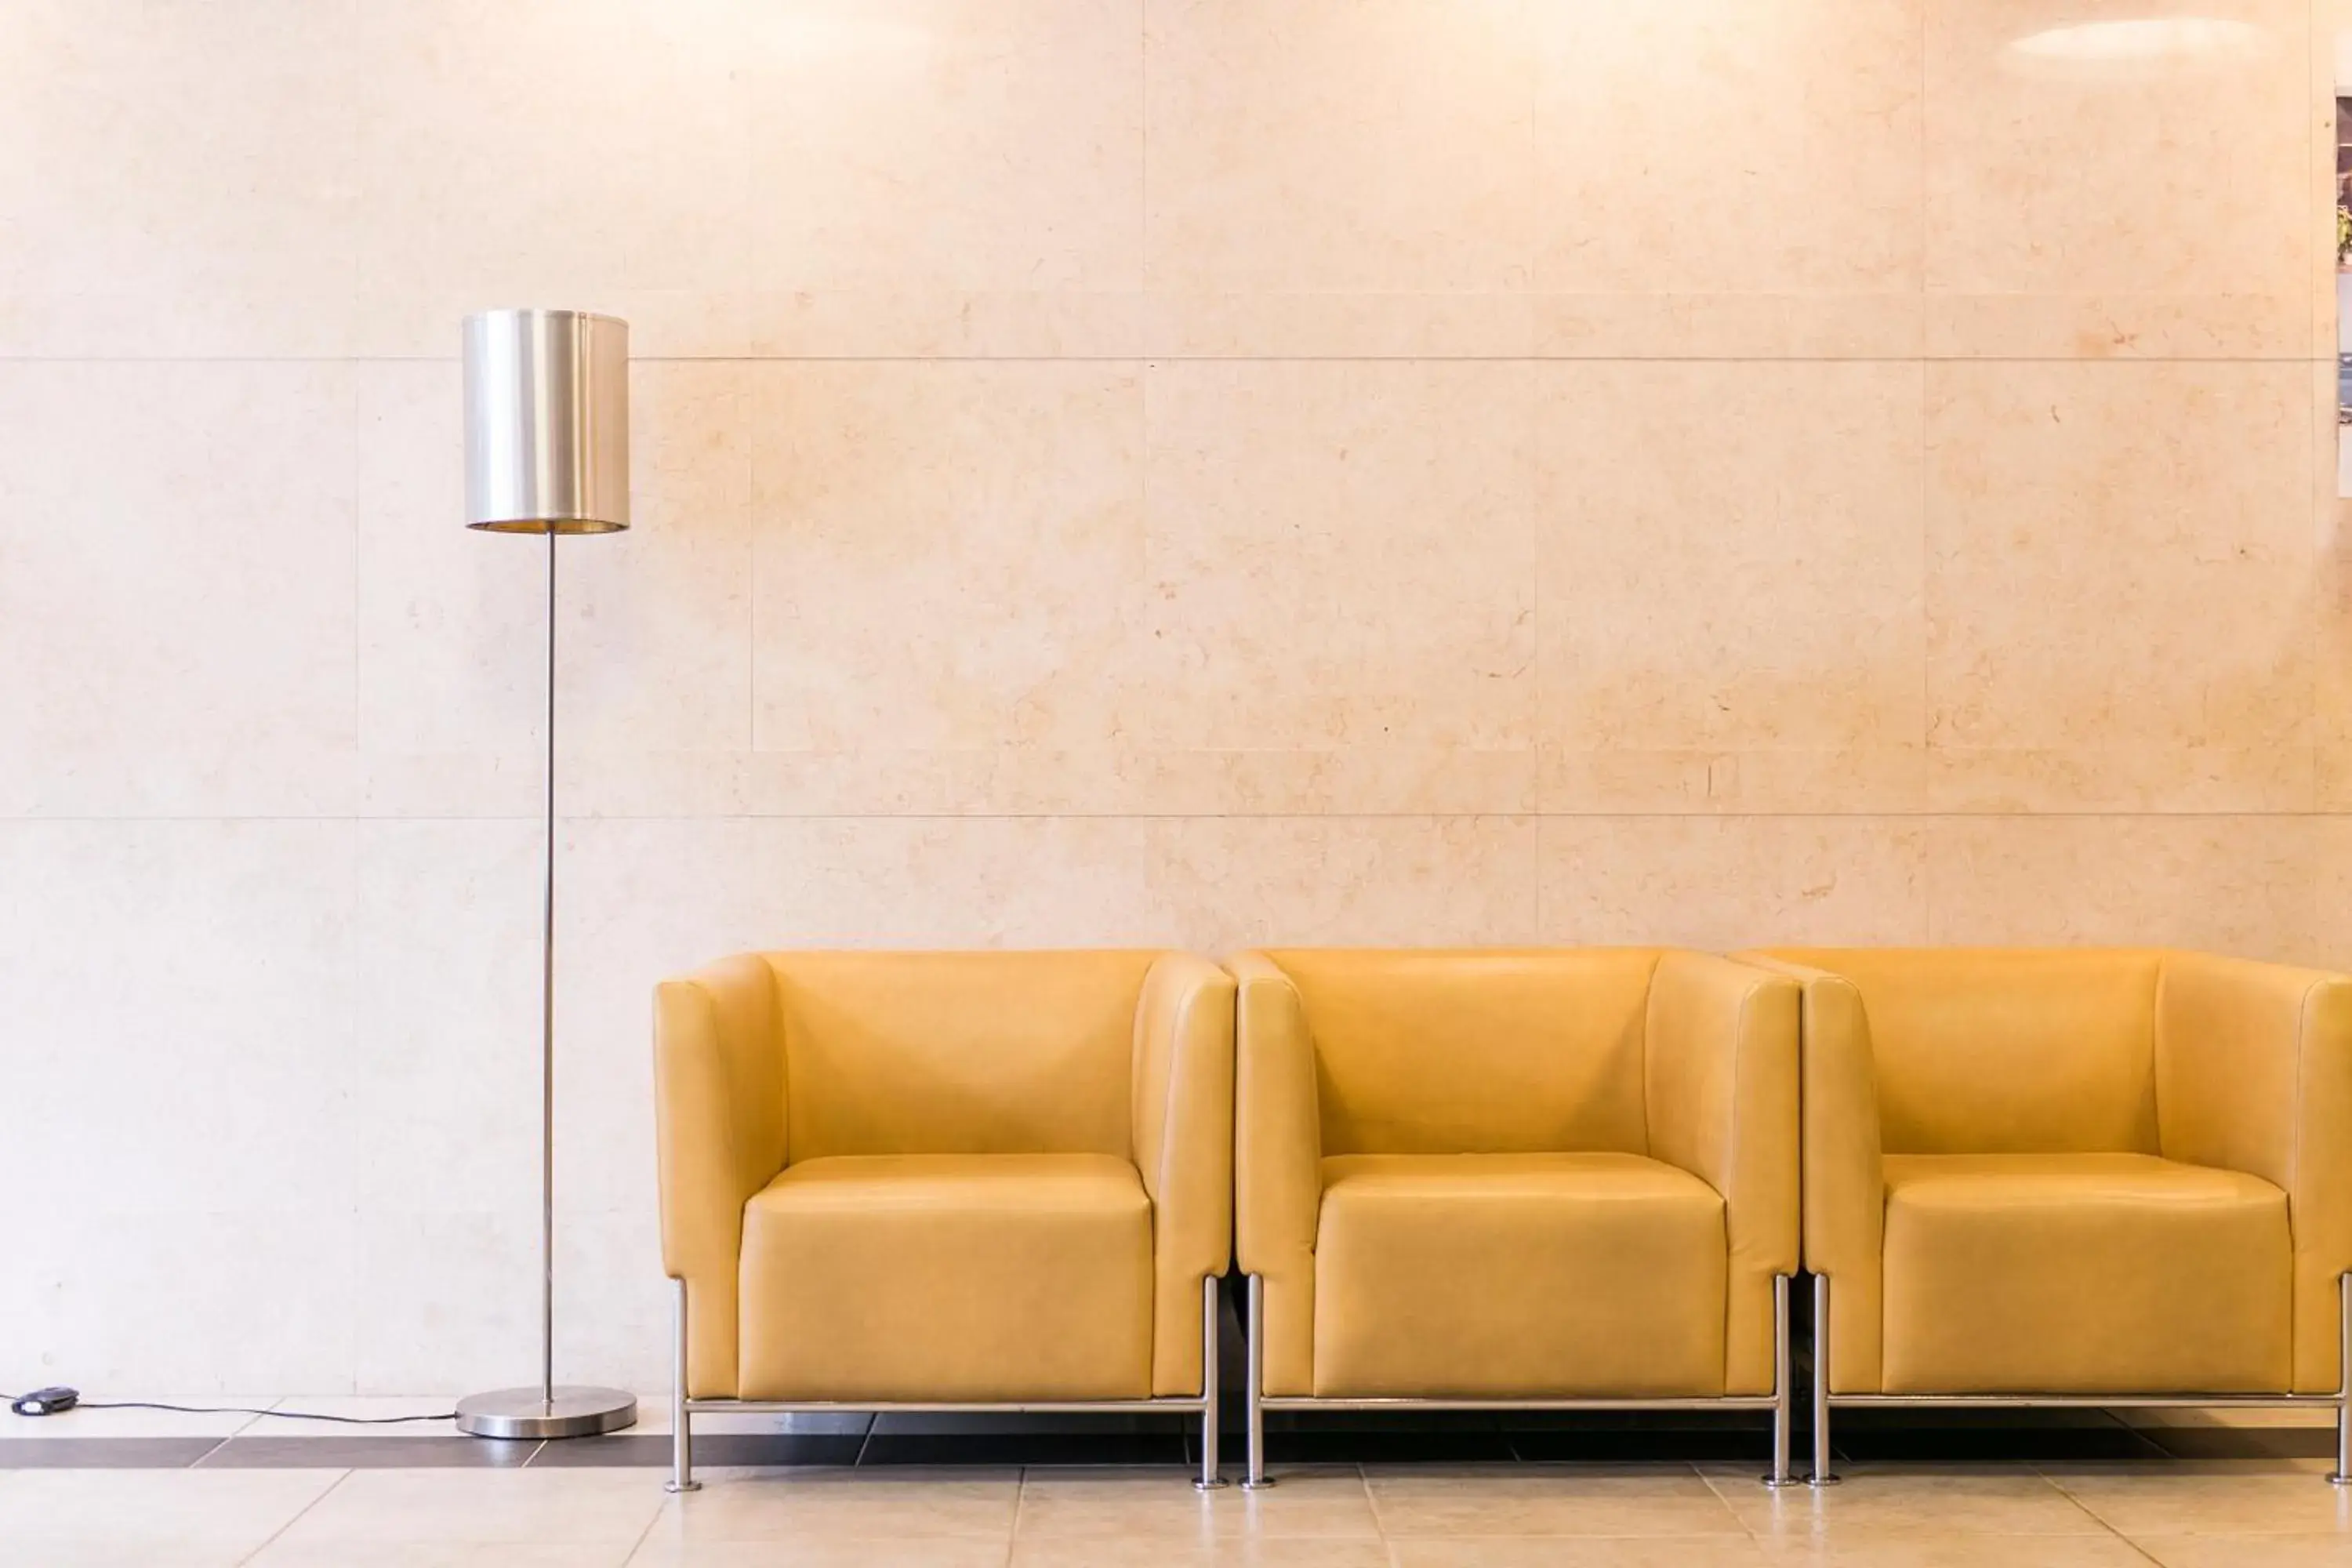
1278, 1165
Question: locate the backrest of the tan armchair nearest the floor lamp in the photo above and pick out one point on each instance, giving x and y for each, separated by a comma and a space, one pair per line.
958, 1052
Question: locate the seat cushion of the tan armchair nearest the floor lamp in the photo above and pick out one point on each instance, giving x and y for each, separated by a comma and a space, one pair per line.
949, 1278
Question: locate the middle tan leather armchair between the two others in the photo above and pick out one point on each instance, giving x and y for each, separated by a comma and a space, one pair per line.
1516, 1179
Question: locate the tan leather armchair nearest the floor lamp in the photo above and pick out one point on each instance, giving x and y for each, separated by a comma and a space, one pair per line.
947, 1181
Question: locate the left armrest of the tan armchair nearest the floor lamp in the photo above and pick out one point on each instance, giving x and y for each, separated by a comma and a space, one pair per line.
719, 1115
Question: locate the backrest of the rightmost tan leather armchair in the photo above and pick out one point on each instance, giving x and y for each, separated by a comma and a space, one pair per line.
2007, 1050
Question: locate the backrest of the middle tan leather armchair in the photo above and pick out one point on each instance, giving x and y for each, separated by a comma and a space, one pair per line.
1476, 1050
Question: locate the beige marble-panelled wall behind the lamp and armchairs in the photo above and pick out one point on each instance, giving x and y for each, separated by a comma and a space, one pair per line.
1109, 471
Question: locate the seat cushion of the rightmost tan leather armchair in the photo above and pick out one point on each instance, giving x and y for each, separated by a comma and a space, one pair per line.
2083, 1275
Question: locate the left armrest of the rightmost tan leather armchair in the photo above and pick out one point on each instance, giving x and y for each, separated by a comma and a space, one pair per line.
1845, 1167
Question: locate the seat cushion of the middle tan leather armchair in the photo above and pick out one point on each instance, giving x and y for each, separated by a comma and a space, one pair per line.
1518, 1278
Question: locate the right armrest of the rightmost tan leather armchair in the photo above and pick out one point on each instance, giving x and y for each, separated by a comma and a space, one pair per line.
2254, 1073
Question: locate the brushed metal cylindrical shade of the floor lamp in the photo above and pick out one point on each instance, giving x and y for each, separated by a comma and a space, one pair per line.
547, 422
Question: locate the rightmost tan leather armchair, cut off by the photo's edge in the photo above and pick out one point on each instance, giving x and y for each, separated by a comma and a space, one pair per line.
2076, 1177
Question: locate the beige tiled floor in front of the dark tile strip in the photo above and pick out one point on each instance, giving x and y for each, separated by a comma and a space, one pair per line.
2184, 1515
